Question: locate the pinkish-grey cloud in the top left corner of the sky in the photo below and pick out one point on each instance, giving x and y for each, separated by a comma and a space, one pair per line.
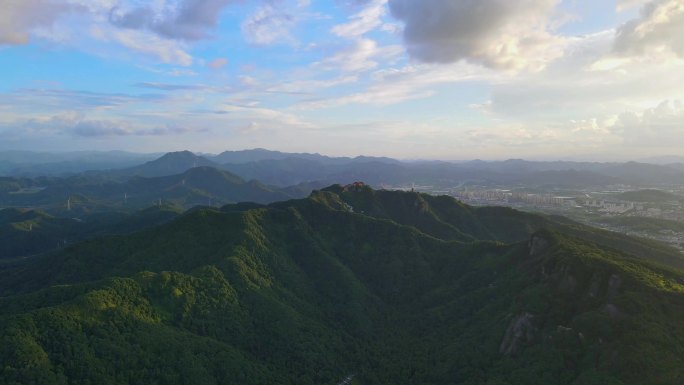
19, 17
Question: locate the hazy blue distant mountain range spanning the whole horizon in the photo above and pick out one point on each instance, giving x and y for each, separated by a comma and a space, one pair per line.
286, 169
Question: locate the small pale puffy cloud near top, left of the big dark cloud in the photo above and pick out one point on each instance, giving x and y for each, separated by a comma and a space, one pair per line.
268, 25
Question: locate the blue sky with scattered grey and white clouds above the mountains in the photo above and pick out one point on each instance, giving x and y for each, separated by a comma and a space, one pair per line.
410, 79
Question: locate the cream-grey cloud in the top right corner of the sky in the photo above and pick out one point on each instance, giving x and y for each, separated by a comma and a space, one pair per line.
660, 26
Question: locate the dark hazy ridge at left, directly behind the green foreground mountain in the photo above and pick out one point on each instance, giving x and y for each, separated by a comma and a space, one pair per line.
87, 193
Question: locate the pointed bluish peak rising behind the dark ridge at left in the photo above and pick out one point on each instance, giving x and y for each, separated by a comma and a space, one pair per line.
169, 164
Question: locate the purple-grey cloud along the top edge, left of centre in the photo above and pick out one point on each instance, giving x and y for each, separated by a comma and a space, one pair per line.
189, 20
